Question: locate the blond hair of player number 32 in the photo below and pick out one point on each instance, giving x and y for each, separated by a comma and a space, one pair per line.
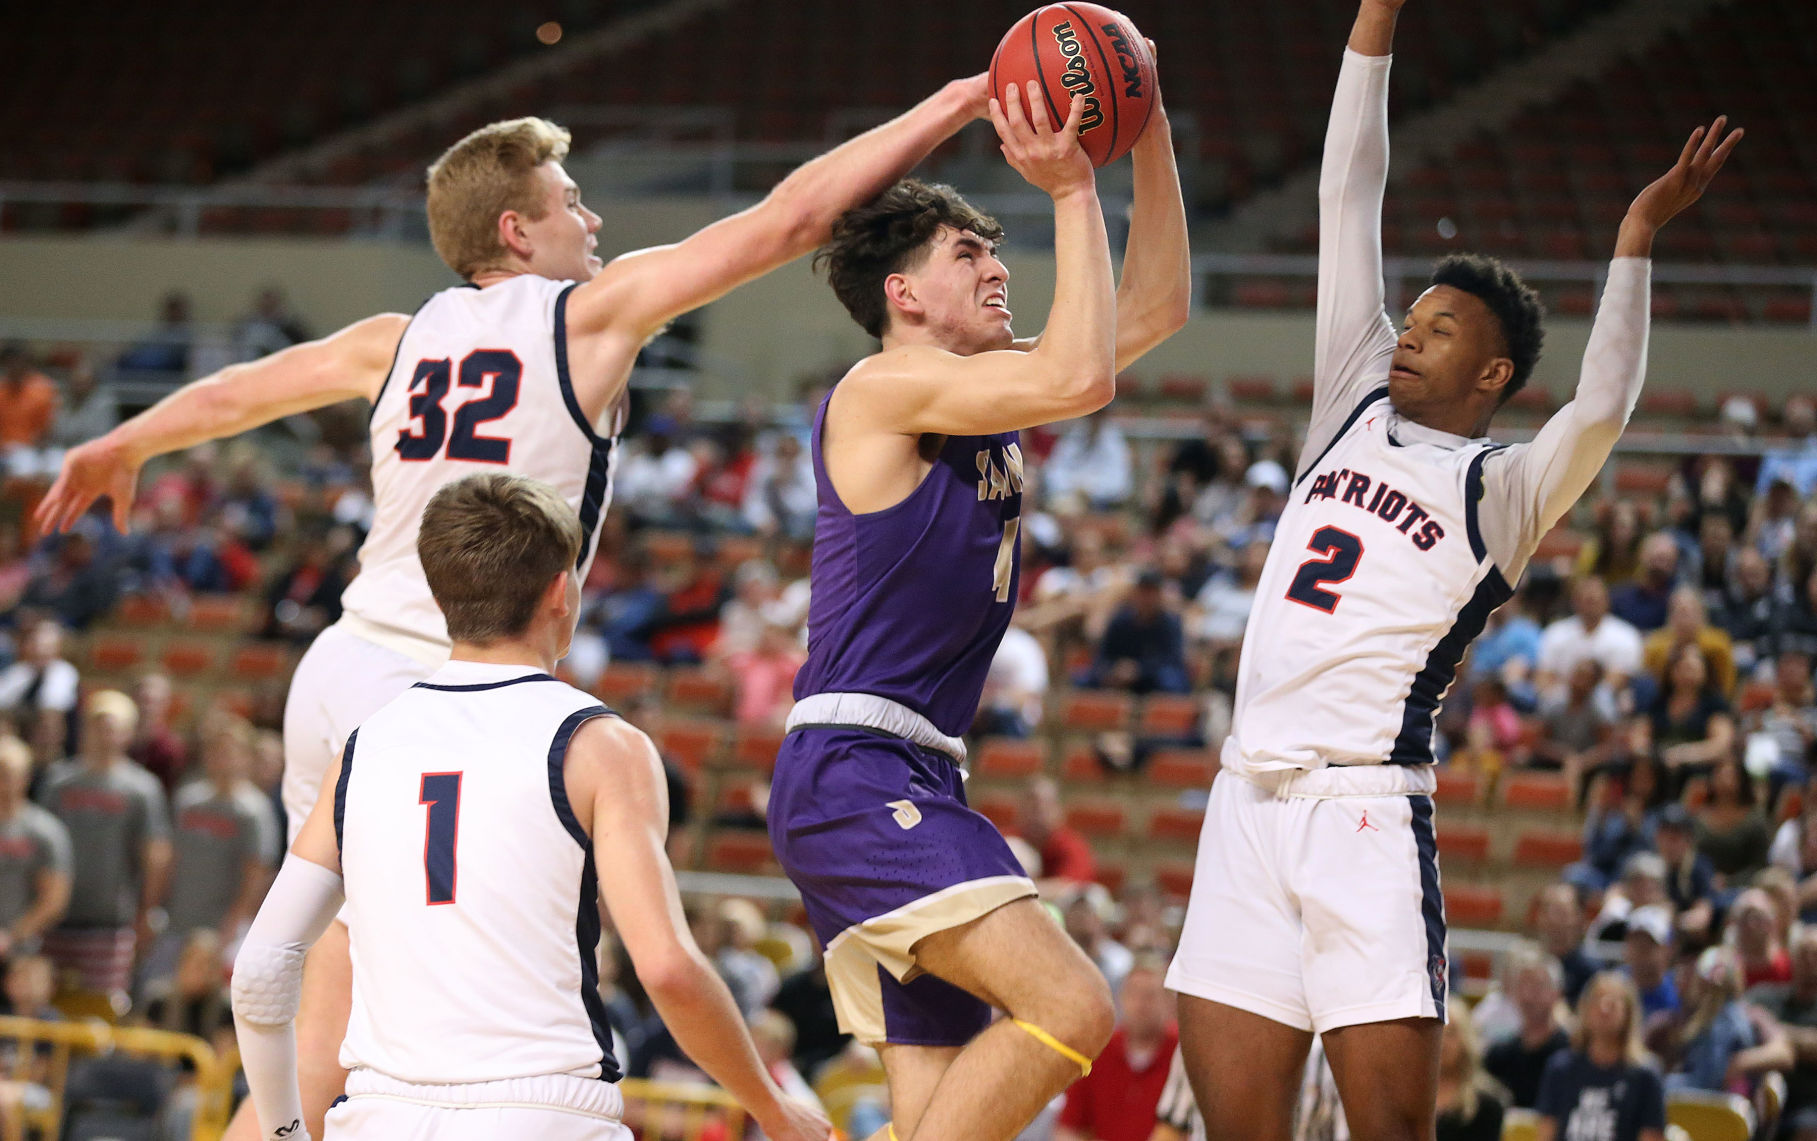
482, 177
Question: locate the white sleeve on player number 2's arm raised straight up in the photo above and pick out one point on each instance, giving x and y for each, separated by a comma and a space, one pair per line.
1355, 337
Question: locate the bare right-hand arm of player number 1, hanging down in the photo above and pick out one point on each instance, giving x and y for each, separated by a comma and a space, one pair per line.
615, 782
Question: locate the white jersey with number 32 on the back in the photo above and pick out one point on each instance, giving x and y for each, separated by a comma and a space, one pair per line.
481, 384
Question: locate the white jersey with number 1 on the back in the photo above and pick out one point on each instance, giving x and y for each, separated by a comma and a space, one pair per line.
472, 891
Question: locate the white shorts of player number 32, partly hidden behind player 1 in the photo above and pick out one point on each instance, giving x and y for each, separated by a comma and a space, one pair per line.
341, 682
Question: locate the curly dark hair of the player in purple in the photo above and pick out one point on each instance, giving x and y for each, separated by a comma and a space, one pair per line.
888, 235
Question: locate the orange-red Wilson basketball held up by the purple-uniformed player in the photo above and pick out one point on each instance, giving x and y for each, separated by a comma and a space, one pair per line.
1082, 50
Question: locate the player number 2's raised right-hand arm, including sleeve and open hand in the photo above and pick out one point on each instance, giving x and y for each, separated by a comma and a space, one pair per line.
1536, 484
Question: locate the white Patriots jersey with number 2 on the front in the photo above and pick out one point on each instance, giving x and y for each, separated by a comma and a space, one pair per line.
1376, 584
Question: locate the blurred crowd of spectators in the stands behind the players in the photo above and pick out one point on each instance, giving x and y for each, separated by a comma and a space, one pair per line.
1663, 666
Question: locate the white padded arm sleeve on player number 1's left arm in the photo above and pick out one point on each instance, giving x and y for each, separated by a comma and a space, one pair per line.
268, 978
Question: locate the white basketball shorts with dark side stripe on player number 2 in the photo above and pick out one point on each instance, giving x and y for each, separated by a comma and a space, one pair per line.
1316, 911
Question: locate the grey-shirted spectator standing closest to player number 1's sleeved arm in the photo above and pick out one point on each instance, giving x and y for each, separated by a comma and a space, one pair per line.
224, 842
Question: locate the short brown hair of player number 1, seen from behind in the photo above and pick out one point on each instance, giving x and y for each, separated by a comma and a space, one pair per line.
490, 546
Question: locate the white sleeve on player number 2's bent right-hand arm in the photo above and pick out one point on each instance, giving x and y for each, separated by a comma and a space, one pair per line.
1531, 486
